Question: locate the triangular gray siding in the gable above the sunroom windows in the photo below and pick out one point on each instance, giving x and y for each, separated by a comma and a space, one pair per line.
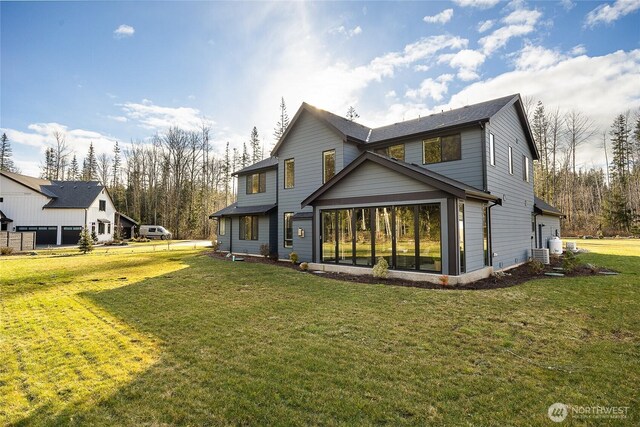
372, 179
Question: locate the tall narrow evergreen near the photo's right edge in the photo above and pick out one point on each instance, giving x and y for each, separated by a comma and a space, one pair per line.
620, 215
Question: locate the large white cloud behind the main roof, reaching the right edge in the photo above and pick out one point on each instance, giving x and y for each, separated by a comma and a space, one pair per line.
609, 88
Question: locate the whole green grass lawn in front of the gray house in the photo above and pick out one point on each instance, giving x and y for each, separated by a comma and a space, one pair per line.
176, 337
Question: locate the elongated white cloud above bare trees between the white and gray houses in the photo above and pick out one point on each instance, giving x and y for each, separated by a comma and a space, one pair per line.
155, 117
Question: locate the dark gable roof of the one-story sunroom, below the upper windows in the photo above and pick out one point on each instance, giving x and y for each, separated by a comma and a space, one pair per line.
436, 180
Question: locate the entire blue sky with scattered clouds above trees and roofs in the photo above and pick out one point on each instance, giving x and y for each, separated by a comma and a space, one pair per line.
106, 71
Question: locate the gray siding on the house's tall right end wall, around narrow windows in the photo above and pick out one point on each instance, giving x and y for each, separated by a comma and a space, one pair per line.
510, 223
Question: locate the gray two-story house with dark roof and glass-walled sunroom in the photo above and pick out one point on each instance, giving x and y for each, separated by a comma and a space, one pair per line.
446, 194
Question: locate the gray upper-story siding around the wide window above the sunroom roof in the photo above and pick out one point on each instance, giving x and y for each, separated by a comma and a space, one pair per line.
467, 170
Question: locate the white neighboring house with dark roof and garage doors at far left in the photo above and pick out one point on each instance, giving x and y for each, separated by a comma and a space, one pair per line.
55, 210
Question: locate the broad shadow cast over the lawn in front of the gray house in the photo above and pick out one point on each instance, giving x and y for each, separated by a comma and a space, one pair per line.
256, 344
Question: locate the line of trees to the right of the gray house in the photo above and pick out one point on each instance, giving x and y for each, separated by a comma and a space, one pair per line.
597, 200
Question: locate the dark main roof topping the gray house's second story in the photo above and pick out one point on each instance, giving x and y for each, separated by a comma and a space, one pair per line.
475, 114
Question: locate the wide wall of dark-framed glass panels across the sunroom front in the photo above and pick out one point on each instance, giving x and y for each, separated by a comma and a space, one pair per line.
407, 237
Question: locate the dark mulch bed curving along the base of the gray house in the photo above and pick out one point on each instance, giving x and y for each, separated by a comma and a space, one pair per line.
512, 277
